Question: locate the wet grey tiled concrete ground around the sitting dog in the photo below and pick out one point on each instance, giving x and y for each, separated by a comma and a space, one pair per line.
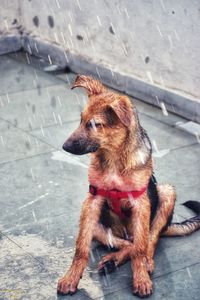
42, 189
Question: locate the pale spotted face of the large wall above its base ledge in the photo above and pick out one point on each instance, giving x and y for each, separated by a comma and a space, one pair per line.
156, 41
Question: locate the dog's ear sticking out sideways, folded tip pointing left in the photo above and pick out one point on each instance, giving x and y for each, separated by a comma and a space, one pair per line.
93, 87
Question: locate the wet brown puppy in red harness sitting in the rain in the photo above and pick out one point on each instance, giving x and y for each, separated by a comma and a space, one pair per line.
124, 208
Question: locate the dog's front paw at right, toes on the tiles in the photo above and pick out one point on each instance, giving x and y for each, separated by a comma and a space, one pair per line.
142, 287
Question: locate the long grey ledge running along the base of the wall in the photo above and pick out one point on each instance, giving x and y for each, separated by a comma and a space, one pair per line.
172, 101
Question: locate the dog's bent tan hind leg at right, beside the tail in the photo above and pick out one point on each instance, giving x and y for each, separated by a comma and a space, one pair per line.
167, 197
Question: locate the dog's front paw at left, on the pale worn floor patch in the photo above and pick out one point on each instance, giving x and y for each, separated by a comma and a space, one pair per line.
67, 285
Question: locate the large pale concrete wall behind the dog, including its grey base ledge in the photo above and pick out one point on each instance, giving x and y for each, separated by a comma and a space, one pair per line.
148, 48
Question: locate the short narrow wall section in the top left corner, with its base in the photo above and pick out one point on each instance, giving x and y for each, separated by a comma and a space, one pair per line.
10, 39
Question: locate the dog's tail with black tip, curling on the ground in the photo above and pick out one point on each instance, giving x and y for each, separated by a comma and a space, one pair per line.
188, 226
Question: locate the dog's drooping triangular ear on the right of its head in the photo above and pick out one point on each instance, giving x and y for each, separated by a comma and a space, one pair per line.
123, 109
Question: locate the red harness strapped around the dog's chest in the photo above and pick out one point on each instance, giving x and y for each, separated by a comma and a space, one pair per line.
115, 195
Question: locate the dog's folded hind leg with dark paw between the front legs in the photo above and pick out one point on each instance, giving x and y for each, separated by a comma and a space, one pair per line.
110, 261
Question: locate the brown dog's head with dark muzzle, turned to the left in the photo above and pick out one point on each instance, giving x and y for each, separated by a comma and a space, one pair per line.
105, 121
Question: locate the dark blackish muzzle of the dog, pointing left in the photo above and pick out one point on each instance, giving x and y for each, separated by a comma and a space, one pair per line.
80, 147
